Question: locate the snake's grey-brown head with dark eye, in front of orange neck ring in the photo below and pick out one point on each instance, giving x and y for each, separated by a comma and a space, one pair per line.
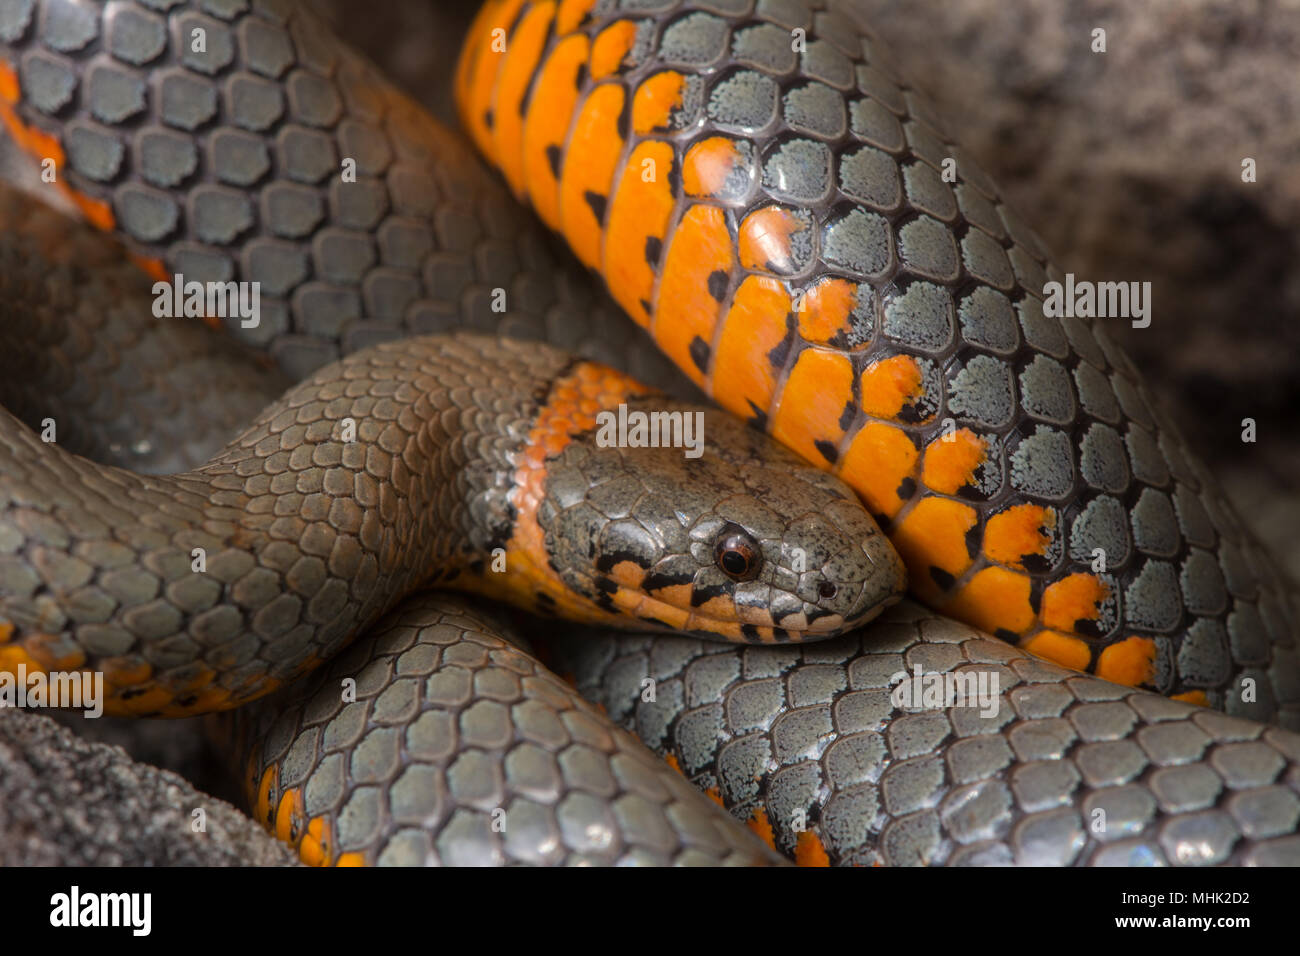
742, 542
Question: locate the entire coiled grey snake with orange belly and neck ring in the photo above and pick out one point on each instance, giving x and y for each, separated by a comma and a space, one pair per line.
772, 205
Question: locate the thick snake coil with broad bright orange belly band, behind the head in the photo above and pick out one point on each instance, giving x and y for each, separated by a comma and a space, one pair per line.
770, 201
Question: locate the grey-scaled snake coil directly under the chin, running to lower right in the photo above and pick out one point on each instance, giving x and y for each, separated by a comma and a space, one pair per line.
1046, 768
